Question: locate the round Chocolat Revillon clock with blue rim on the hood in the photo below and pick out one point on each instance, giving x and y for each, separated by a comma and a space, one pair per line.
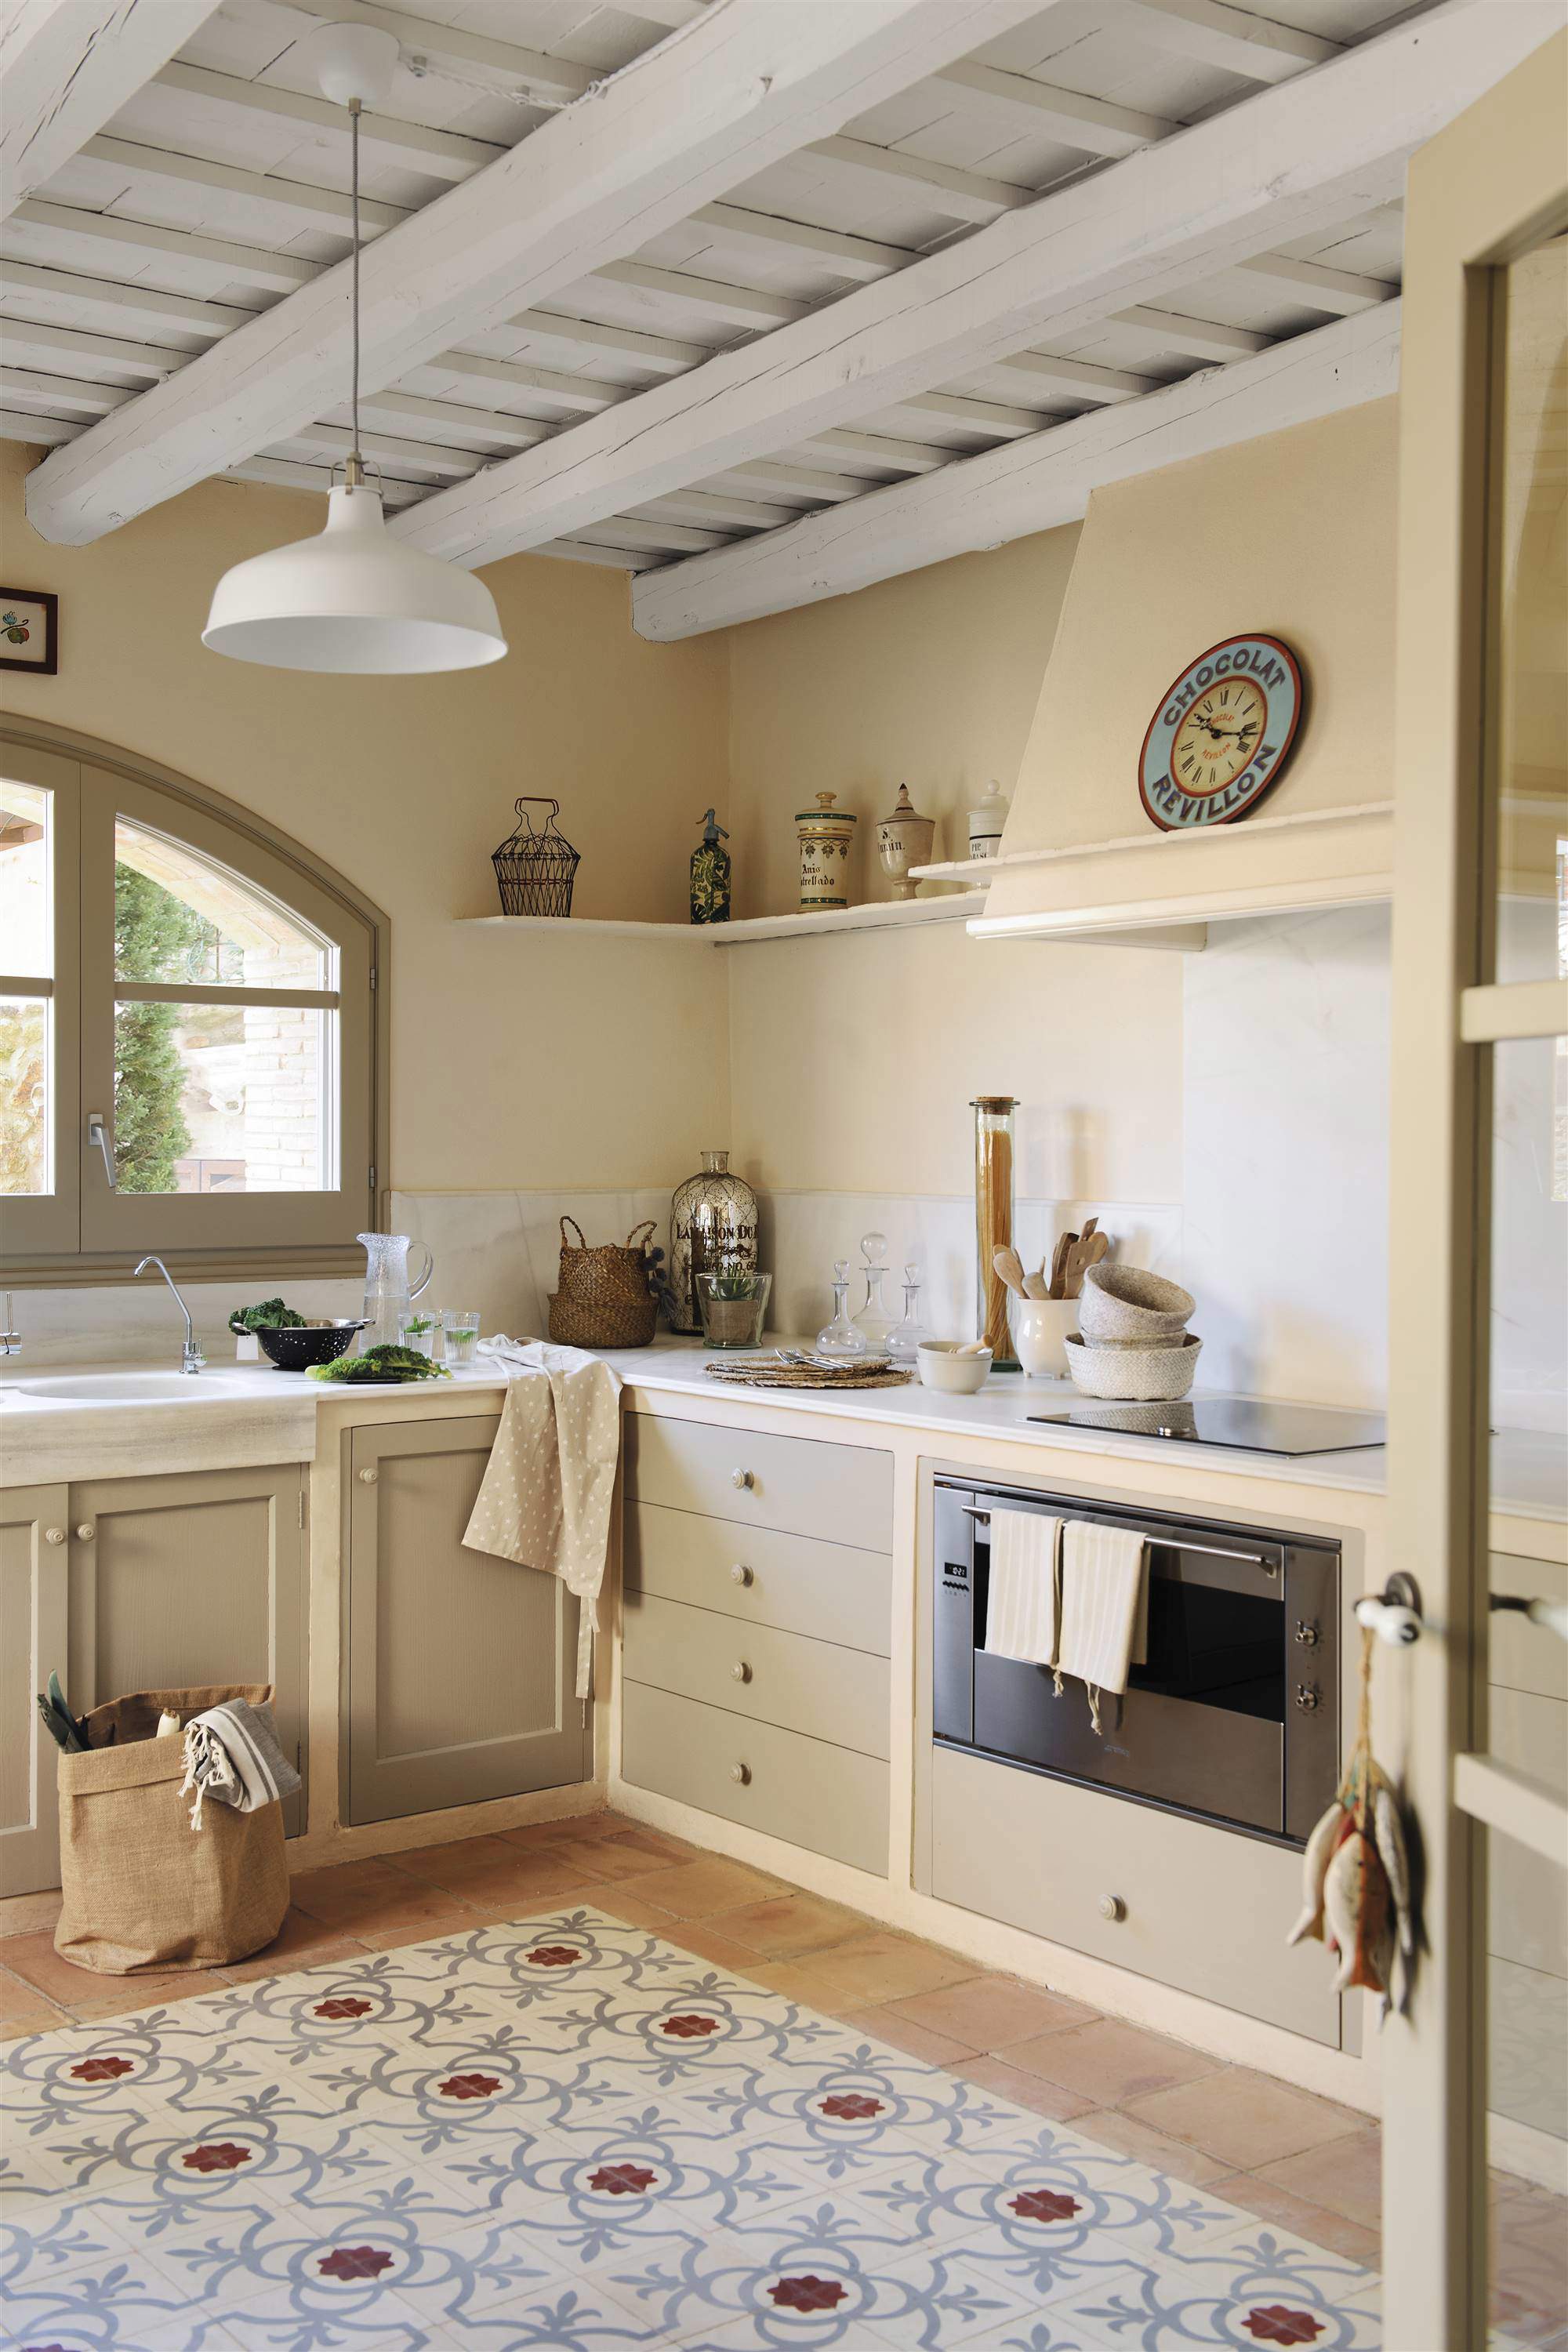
1224, 735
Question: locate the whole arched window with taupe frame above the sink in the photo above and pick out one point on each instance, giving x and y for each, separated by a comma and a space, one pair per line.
189, 1041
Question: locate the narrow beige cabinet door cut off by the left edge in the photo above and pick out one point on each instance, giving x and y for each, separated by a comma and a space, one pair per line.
32, 1643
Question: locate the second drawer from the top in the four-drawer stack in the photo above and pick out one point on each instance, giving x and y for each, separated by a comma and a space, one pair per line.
758, 1577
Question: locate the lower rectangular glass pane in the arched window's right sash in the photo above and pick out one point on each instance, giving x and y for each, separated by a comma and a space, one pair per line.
222, 1100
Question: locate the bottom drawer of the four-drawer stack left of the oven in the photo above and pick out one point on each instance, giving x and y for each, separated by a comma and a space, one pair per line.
810, 1793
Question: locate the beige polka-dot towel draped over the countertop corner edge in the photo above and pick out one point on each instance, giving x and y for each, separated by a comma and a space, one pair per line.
551, 1474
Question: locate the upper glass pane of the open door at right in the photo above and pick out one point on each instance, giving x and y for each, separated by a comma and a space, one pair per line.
1534, 622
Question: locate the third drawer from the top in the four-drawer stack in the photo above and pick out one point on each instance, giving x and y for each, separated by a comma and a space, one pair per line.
756, 1671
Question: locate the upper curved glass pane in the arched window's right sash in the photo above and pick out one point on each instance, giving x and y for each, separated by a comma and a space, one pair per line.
185, 918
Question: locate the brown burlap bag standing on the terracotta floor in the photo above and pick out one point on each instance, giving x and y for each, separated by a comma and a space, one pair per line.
142, 1887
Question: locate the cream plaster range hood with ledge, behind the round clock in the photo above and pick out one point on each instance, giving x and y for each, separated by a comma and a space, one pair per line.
1289, 537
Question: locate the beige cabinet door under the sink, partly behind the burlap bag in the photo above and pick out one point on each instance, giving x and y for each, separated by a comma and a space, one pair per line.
189, 1579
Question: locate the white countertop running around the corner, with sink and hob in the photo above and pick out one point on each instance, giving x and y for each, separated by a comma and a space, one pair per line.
246, 1415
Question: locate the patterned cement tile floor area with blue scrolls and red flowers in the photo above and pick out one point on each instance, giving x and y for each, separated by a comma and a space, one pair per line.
568, 2134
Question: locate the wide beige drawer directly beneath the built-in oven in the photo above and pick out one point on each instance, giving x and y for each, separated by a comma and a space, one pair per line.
1207, 1911
